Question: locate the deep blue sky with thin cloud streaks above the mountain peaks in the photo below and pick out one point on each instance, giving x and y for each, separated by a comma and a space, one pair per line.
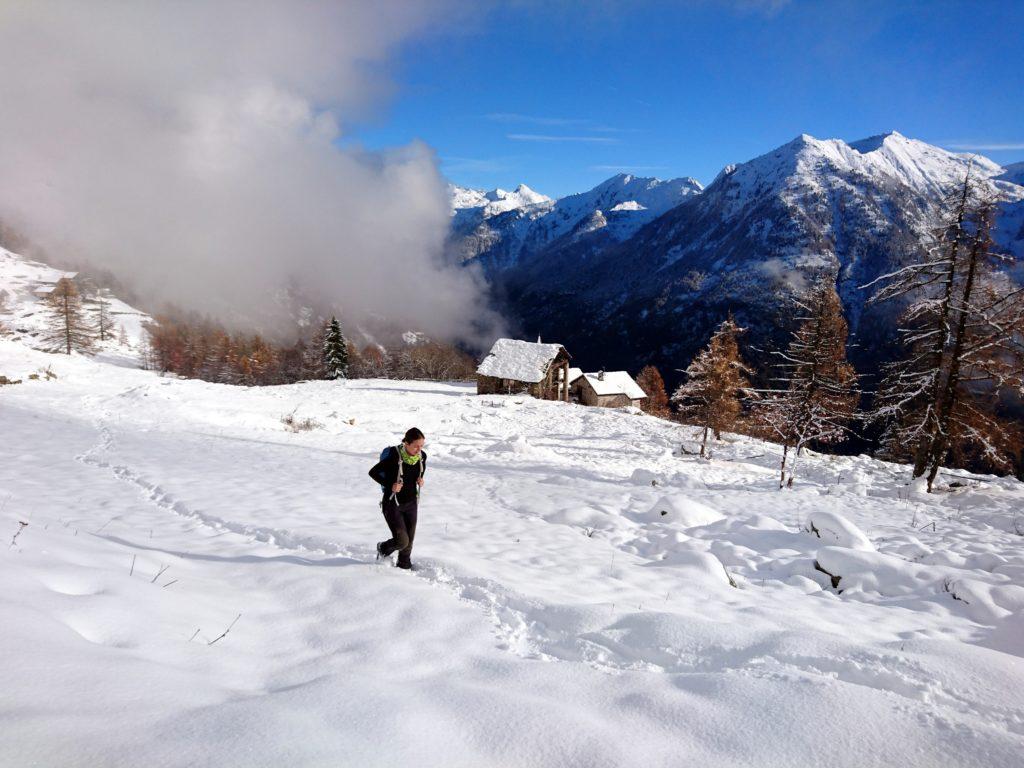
563, 96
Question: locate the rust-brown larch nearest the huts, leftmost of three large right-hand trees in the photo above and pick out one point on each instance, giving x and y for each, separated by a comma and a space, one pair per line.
716, 385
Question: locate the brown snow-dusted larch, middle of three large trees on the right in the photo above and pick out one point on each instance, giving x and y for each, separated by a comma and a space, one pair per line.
819, 398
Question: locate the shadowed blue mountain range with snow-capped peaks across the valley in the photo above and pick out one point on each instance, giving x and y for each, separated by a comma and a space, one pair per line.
652, 291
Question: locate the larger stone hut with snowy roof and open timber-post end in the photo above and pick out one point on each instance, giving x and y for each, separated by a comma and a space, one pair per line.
514, 366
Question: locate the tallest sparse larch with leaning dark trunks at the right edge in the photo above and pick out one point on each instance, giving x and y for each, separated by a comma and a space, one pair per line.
963, 336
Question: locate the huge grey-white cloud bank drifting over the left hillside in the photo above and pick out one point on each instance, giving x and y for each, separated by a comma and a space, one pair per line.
192, 148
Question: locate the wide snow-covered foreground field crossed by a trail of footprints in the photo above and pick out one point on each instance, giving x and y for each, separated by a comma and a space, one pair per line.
574, 607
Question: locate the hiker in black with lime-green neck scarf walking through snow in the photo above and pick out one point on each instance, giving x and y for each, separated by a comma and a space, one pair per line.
400, 474
